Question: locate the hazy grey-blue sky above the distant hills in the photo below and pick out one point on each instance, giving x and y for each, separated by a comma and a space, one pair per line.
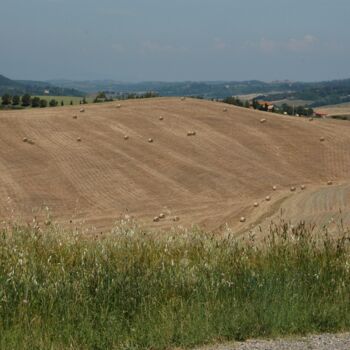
175, 40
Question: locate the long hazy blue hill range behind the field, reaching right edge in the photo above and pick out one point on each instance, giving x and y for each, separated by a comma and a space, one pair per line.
314, 93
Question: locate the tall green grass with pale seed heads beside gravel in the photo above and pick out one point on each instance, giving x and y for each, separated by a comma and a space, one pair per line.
137, 290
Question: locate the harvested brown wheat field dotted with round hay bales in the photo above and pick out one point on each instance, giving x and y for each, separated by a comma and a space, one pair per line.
172, 161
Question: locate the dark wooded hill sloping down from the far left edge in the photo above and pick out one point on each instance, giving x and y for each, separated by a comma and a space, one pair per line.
20, 87
